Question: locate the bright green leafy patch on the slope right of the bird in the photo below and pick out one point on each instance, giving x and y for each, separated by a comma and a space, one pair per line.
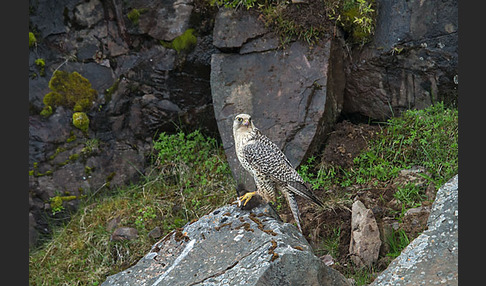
427, 138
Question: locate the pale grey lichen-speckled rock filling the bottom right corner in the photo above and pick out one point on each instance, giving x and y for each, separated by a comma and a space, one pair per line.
431, 258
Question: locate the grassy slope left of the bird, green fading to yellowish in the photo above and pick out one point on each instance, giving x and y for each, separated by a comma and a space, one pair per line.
190, 177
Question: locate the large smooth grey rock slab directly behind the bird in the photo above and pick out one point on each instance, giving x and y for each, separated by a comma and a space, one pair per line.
293, 95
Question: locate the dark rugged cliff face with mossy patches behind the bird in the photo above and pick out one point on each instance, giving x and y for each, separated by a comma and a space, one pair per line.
162, 65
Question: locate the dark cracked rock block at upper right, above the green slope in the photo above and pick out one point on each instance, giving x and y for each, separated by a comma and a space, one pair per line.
412, 61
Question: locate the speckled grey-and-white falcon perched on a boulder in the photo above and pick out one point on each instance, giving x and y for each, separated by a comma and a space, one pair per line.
269, 167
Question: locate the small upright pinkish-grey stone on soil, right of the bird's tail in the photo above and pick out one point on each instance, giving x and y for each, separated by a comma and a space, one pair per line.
364, 247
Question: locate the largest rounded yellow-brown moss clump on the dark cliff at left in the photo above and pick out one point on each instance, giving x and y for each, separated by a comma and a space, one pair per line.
71, 90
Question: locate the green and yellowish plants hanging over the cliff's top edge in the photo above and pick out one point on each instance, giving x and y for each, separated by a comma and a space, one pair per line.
313, 20
